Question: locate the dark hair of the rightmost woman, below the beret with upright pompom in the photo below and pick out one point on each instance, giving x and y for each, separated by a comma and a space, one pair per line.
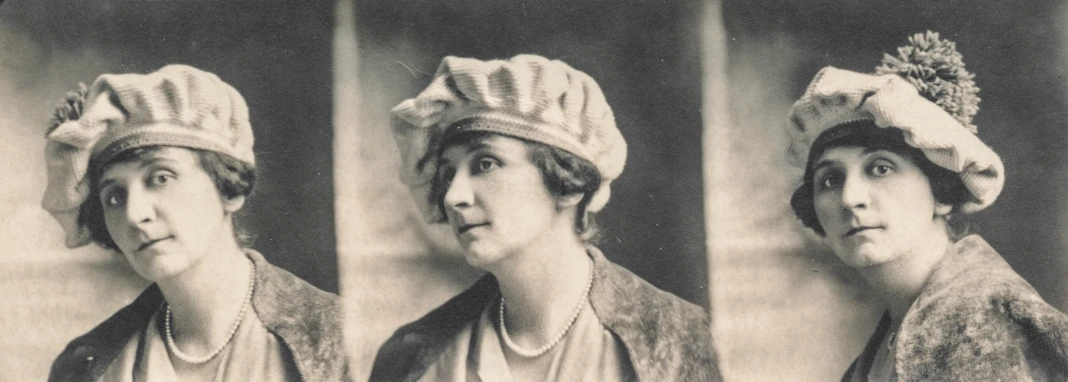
946, 185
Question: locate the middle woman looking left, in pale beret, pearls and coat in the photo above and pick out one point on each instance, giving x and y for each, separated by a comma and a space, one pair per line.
517, 156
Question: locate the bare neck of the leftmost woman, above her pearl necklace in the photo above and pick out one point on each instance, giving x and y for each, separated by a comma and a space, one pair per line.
208, 298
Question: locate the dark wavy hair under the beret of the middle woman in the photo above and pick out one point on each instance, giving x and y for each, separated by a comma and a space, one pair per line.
563, 173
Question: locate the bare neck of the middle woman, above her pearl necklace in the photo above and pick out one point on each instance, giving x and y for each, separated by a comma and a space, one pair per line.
542, 286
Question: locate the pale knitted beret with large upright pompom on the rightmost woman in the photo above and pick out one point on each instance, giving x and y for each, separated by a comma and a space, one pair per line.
926, 93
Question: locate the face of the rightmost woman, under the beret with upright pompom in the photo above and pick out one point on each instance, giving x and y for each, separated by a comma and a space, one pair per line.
874, 205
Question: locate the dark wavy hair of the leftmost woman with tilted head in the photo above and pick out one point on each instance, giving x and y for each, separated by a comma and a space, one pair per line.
232, 178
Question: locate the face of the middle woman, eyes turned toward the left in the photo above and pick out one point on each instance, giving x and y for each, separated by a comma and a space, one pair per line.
496, 200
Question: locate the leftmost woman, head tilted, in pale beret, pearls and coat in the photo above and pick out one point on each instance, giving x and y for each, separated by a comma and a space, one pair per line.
155, 167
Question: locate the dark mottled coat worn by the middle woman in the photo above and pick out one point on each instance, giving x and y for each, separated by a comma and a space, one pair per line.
667, 339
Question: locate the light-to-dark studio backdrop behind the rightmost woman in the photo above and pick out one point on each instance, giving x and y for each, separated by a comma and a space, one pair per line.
784, 307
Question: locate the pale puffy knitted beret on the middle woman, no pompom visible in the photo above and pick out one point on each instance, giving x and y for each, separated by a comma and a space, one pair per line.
527, 97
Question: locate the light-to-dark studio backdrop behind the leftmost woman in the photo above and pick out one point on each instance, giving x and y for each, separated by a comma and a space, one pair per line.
277, 54
